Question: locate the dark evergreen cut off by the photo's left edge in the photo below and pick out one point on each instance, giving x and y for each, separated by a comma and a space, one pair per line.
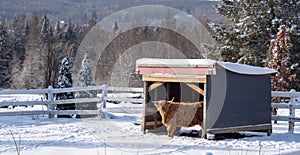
5, 57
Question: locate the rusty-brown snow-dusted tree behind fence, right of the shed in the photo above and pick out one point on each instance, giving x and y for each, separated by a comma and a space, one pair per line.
280, 50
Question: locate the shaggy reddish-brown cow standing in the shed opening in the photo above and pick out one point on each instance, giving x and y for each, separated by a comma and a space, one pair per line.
180, 114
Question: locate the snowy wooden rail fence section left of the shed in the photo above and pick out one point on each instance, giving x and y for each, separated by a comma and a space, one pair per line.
50, 102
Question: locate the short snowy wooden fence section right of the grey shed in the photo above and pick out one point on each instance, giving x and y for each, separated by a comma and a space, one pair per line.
292, 105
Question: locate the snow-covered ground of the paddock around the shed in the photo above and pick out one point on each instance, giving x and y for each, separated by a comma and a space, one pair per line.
120, 133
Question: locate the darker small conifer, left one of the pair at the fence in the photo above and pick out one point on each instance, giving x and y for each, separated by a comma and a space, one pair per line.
65, 81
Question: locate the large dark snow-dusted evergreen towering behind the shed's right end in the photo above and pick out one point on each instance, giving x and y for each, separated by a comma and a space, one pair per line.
253, 24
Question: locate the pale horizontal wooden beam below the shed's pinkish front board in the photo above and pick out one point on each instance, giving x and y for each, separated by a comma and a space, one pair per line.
174, 79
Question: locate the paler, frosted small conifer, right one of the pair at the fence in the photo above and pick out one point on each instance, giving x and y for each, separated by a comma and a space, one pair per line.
86, 79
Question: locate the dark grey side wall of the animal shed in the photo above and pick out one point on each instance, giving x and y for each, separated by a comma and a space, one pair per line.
234, 99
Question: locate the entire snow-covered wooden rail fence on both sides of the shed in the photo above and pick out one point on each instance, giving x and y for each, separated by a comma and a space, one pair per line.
292, 103
